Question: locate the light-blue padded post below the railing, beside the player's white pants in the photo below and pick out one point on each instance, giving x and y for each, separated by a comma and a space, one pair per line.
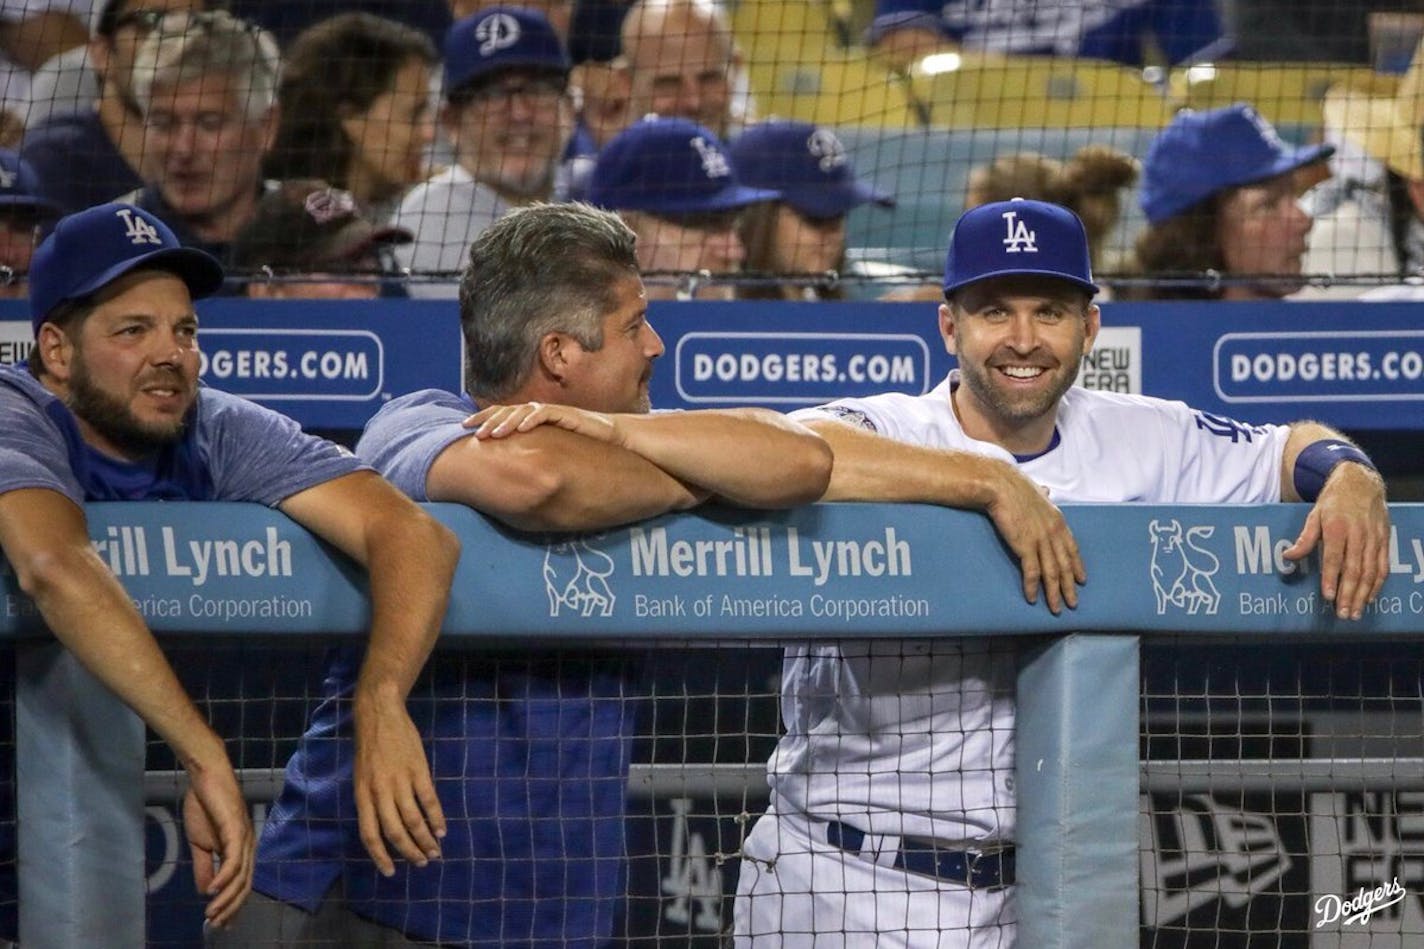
1077, 779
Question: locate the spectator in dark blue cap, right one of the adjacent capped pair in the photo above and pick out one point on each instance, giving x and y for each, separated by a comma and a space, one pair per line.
805, 232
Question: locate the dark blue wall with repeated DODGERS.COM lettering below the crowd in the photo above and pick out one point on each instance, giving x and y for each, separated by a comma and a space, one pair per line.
334, 364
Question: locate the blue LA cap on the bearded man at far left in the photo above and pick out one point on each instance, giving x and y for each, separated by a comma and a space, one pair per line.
93, 249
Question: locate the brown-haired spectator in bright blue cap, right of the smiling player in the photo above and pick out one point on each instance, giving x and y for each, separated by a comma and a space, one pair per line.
1221, 195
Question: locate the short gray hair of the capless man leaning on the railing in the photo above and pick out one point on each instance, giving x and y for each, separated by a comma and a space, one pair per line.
542, 269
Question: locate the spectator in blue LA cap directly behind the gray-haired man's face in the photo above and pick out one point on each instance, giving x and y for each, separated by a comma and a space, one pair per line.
677, 187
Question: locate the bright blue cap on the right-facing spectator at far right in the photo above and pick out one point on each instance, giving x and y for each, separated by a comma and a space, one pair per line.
1200, 155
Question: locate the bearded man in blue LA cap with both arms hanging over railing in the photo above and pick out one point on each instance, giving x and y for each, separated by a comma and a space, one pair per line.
110, 408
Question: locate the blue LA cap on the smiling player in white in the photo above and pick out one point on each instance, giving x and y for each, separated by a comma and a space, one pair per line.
1015, 237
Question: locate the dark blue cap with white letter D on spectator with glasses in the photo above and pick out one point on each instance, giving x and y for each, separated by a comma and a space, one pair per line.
501, 39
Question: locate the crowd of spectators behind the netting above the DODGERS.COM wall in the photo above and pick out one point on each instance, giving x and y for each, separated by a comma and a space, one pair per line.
441, 118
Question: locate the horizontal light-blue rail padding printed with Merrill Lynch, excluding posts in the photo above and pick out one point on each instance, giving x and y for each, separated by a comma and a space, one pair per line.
838, 569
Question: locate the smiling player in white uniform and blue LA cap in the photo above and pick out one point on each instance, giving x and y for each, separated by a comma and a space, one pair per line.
892, 809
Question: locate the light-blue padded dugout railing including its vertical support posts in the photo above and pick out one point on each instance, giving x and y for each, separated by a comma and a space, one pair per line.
82, 756
